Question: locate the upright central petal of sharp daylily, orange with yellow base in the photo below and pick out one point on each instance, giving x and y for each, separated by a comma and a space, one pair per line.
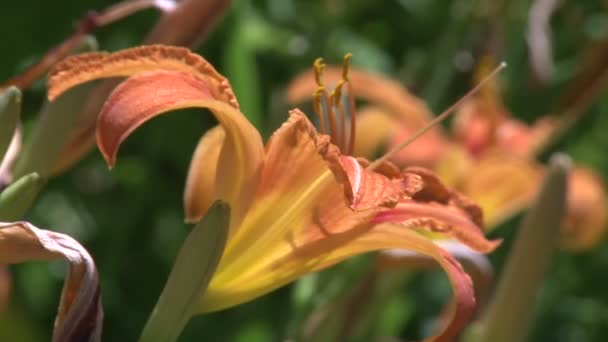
297, 190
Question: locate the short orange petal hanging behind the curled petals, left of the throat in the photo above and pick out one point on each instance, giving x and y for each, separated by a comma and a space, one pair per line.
199, 193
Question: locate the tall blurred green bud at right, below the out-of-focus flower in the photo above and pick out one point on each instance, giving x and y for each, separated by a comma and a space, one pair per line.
510, 311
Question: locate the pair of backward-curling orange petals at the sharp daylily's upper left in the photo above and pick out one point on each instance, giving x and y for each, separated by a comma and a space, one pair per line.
168, 78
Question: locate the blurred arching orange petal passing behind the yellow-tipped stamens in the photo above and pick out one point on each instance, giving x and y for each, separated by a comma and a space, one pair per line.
380, 90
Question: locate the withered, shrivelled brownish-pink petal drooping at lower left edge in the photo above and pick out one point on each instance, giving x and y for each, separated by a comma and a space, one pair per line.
80, 313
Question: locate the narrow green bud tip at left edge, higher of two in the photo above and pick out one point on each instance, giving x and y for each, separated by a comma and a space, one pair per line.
10, 109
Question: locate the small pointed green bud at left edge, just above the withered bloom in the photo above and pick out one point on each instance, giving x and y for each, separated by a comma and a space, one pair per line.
17, 198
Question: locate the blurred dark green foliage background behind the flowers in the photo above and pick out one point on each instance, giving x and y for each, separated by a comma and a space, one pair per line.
131, 219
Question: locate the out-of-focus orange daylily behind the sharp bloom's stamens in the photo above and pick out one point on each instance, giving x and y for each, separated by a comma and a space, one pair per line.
489, 156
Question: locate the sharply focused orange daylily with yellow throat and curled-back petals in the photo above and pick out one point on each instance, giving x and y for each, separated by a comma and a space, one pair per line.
298, 204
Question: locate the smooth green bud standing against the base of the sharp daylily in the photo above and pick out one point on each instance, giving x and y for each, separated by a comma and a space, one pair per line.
194, 266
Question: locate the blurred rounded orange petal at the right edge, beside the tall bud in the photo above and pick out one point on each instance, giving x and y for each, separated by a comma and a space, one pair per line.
586, 215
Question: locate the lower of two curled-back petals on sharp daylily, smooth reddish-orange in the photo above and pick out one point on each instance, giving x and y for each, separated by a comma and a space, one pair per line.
145, 96
